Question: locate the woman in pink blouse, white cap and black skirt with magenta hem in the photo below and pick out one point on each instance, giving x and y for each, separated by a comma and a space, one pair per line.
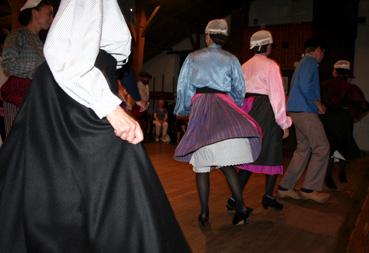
265, 102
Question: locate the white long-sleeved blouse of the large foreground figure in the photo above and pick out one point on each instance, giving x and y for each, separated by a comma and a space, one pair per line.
79, 30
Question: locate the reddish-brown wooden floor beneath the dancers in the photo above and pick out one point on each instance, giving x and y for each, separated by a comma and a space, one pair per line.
302, 226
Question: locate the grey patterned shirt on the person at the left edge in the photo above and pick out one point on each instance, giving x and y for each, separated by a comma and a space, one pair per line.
22, 53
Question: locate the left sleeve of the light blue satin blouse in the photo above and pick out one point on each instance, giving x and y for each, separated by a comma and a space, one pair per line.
185, 90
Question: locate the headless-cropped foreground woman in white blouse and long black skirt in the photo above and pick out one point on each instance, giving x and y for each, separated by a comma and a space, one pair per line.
71, 178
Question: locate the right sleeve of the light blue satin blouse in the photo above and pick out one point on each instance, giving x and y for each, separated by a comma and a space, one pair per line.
238, 89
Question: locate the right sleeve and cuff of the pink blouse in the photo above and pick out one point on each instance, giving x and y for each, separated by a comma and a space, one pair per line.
277, 97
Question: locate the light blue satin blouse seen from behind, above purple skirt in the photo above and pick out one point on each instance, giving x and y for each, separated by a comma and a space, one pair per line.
212, 68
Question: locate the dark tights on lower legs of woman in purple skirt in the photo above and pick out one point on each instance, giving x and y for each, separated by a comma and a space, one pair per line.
203, 186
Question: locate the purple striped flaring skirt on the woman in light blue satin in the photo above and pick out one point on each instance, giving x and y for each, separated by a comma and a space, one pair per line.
215, 117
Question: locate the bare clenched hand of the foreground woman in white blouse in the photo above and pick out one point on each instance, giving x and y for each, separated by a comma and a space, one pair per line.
125, 127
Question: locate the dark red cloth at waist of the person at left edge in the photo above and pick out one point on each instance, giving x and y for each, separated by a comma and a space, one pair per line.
15, 90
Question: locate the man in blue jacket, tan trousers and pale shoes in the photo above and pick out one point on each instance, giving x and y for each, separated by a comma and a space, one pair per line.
312, 150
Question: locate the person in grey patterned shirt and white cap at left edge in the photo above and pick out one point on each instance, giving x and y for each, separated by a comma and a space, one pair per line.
22, 54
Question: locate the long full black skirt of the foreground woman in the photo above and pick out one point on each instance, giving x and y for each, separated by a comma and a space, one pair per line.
68, 184
